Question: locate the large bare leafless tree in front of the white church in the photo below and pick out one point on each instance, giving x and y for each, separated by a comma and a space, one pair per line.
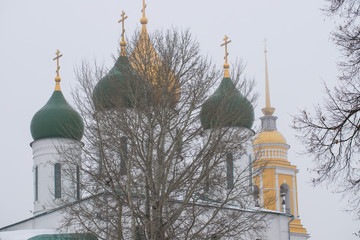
149, 170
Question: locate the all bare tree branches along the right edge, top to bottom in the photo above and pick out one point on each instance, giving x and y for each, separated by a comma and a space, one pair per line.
331, 133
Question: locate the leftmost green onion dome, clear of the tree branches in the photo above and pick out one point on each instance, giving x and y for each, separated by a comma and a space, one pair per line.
57, 119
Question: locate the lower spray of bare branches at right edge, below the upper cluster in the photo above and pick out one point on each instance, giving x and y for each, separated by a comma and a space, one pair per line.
331, 136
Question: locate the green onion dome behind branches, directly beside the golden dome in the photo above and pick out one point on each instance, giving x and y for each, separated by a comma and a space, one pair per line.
121, 87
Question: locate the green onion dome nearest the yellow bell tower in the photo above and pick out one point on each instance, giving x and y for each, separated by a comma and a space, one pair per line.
227, 107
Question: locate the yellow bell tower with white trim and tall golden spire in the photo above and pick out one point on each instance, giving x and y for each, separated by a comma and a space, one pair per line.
275, 181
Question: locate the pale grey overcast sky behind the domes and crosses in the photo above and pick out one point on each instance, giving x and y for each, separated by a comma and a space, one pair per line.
300, 57
